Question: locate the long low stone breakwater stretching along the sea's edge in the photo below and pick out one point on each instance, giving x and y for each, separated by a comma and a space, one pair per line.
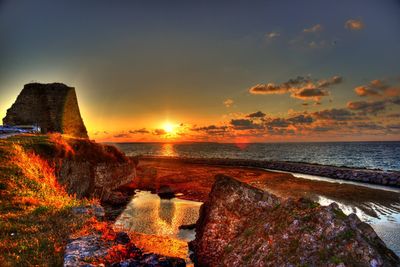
378, 177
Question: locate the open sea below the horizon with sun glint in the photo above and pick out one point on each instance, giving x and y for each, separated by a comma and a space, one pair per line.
370, 155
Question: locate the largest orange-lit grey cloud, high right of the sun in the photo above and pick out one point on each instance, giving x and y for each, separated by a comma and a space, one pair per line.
300, 87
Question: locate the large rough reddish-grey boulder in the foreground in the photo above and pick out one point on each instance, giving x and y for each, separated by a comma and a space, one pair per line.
240, 225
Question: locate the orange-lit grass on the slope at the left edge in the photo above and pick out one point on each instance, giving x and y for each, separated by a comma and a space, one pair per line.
35, 212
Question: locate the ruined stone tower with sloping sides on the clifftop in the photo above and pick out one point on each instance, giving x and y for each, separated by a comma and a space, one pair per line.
54, 107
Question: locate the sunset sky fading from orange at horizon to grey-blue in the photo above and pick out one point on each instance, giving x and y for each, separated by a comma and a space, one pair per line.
227, 71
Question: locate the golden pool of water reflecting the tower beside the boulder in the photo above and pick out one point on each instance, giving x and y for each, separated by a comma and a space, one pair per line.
148, 214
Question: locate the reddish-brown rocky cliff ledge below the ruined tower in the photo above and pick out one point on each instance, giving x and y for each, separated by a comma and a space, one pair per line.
84, 167
